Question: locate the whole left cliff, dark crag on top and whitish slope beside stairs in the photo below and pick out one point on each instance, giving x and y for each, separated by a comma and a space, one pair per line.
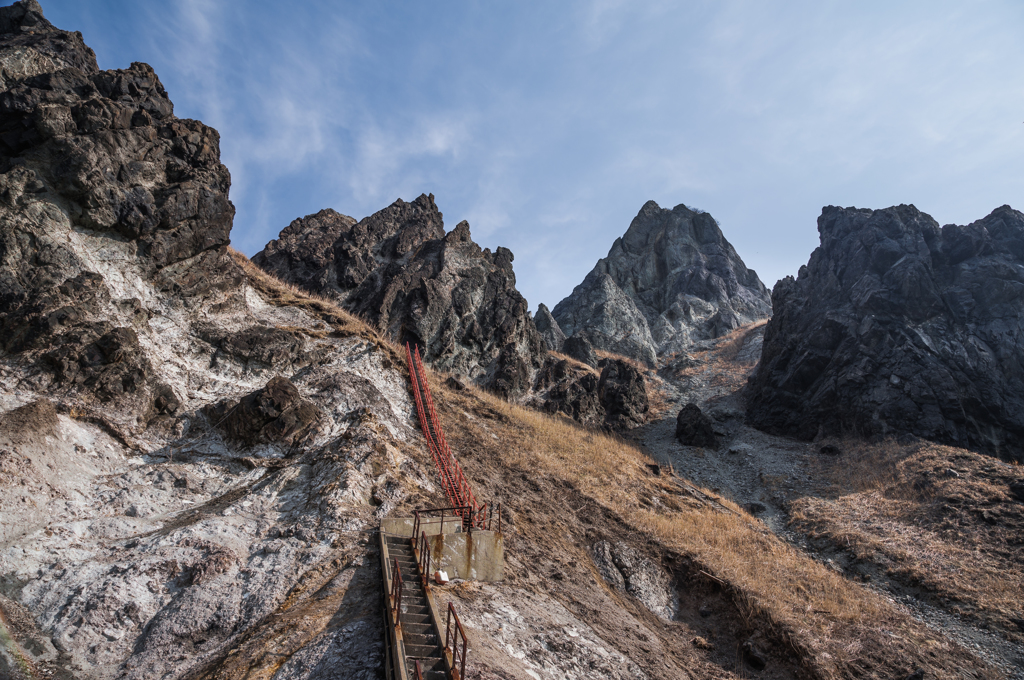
164, 418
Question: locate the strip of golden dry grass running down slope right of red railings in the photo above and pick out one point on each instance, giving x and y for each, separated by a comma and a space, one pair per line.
831, 620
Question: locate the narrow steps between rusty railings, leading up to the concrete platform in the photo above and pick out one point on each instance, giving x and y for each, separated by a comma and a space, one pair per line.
422, 641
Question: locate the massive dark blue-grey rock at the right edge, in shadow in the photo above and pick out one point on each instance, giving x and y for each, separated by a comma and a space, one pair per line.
898, 325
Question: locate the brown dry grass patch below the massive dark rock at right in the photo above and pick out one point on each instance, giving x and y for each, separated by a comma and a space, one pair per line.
957, 539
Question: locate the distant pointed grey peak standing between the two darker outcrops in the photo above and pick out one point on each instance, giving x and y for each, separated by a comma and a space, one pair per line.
670, 280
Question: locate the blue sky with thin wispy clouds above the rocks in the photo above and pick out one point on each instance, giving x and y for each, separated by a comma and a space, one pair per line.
547, 125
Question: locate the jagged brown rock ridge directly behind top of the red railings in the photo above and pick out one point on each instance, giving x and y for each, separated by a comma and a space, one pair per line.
402, 272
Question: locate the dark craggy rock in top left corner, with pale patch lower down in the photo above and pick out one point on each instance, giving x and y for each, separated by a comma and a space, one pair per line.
98, 178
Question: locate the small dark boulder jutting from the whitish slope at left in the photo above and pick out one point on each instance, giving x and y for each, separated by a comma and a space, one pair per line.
275, 414
